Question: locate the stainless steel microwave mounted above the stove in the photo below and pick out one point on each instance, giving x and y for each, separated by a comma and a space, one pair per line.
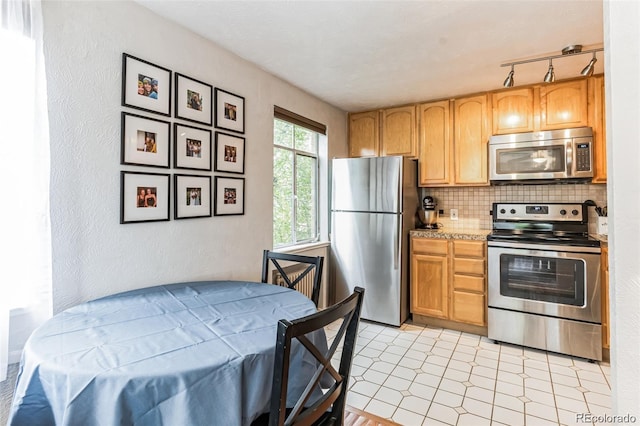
542, 157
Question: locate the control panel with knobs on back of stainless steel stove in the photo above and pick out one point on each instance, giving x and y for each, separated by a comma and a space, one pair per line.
543, 212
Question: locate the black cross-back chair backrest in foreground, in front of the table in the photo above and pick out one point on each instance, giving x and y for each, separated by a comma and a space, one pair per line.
331, 403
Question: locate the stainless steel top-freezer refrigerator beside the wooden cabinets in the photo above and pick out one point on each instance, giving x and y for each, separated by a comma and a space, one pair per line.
374, 202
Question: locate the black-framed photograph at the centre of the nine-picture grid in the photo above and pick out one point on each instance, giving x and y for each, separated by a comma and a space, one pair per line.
192, 147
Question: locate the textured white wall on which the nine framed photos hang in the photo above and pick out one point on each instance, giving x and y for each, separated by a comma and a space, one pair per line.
93, 254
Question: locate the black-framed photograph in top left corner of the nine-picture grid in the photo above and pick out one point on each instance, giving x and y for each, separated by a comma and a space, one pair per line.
145, 86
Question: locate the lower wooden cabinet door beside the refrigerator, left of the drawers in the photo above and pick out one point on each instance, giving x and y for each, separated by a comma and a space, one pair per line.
429, 285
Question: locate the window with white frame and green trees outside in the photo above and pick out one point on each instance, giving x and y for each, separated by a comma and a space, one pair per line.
295, 179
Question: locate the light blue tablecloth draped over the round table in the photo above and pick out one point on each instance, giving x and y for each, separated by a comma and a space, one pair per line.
198, 353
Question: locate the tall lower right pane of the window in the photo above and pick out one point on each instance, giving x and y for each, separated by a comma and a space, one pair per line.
306, 197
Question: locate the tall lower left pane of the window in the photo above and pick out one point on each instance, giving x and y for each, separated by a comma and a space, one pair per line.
282, 196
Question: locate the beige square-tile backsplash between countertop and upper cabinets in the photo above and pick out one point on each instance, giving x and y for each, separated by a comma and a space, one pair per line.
474, 203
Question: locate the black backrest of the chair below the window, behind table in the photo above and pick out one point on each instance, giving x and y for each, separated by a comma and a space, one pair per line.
314, 262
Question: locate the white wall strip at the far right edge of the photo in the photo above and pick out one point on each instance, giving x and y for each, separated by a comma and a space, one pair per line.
622, 49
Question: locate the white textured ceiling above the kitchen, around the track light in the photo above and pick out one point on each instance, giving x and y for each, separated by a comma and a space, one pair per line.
361, 55
